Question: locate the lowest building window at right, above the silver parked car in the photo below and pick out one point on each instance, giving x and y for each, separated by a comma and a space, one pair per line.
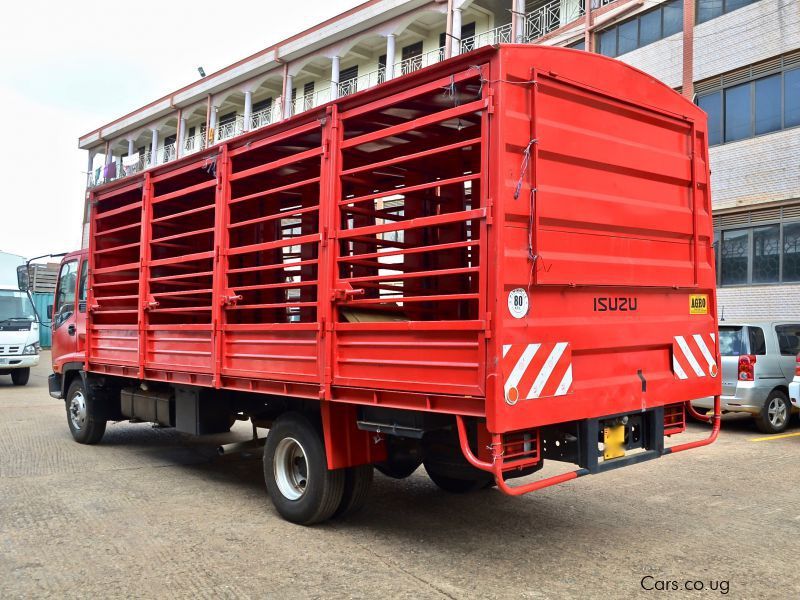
759, 254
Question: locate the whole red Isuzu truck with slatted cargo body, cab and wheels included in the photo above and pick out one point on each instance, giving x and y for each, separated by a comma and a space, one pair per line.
498, 260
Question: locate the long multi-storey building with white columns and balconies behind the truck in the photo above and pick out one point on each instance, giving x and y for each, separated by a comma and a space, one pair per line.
739, 59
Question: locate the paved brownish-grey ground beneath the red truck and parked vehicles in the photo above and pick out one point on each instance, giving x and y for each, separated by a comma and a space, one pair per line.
151, 513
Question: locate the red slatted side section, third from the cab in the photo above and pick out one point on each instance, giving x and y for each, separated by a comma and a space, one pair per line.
270, 319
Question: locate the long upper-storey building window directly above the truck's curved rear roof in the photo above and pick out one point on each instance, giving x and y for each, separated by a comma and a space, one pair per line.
642, 30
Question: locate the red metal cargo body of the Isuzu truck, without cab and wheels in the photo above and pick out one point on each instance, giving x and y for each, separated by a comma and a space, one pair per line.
364, 252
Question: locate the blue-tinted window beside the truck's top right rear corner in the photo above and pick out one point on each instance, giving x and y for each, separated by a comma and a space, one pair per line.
762, 105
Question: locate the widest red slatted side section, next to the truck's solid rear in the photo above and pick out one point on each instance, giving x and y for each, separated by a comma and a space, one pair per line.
409, 309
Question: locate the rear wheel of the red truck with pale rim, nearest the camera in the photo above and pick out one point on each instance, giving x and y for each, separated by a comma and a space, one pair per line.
300, 485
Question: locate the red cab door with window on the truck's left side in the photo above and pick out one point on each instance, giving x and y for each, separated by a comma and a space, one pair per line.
64, 318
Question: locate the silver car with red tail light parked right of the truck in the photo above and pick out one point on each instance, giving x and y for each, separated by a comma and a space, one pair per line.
759, 361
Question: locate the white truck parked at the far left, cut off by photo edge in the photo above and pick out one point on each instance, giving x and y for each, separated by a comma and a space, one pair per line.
19, 324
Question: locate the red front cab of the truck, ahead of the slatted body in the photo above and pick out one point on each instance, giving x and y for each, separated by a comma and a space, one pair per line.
69, 322
